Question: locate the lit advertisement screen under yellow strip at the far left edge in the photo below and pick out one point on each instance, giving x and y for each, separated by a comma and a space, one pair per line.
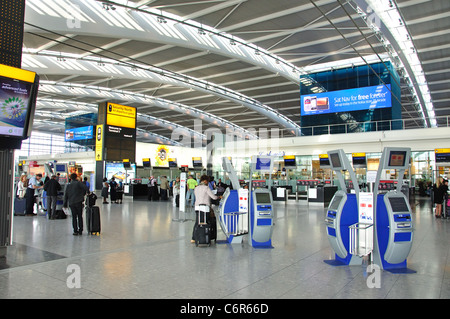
14, 98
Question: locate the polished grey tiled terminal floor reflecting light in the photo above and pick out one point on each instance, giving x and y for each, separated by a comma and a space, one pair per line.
143, 253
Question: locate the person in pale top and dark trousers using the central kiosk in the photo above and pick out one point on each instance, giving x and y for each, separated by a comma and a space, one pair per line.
203, 196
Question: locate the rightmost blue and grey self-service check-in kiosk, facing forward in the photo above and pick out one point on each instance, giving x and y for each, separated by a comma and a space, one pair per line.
393, 224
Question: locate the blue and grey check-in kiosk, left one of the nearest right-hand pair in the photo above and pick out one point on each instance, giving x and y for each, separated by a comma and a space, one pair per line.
342, 212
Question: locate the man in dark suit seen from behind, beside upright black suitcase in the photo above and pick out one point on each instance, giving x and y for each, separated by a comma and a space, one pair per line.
74, 198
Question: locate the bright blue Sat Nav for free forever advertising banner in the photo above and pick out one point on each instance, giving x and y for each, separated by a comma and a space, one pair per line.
371, 97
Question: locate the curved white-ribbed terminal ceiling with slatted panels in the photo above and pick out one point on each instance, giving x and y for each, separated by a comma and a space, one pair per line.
232, 65
